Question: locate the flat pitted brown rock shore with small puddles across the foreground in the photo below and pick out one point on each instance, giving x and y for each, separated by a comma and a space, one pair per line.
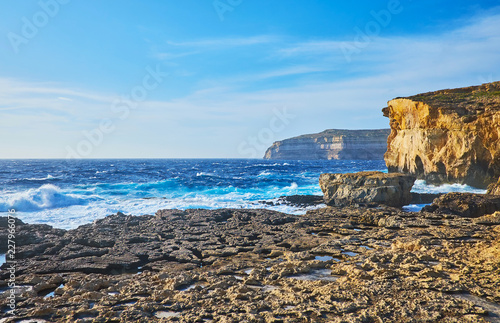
334, 264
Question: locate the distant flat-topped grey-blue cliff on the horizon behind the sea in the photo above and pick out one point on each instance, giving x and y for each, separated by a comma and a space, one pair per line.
332, 144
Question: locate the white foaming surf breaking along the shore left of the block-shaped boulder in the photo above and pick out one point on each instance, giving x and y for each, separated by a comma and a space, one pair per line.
68, 210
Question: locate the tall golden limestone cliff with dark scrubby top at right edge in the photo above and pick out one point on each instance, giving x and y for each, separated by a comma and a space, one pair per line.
447, 136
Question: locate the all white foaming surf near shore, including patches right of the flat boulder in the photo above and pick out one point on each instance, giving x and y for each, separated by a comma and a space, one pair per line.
70, 208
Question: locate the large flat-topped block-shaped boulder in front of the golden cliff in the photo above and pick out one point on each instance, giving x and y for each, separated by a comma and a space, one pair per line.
391, 189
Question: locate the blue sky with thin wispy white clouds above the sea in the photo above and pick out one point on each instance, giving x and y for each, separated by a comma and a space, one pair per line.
223, 78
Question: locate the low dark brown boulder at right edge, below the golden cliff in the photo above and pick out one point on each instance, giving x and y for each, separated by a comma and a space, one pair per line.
467, 205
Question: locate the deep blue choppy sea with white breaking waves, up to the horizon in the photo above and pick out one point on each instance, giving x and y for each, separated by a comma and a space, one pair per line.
68, 193
